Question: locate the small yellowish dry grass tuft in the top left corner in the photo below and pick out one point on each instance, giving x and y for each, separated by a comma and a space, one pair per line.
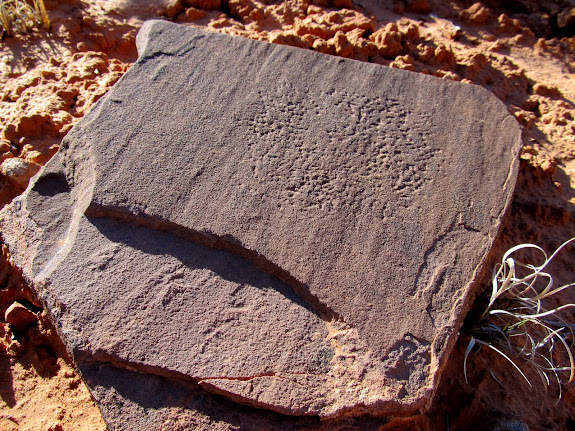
20, 16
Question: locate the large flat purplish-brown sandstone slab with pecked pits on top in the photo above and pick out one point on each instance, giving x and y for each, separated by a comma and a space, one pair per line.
293, 231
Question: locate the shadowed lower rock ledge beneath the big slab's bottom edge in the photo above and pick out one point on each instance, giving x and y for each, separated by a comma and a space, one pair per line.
123, 397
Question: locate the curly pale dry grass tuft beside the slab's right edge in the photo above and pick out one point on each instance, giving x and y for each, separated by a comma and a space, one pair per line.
517, 324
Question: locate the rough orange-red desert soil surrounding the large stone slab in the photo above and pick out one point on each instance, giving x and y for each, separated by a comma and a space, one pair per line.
523, 51
